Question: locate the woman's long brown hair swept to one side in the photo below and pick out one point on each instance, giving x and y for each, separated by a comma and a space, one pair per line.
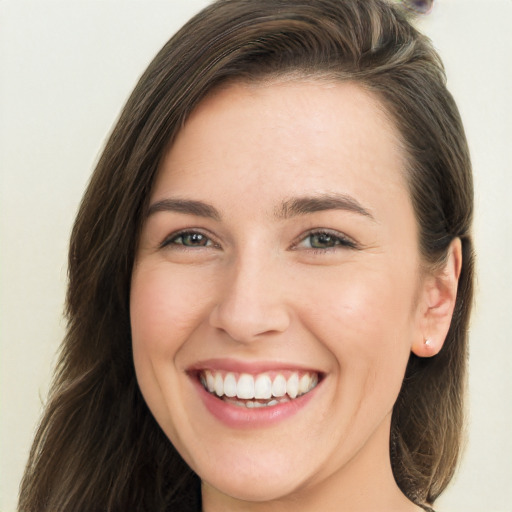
98, 448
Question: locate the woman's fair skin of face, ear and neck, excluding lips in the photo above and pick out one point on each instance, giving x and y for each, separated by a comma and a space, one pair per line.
258, 290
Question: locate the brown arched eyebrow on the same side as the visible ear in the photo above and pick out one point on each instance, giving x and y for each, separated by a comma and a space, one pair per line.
304, 205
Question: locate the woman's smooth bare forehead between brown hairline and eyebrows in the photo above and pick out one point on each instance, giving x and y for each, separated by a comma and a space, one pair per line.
285, 137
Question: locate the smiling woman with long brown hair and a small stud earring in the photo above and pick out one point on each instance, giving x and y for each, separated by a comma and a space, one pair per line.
270, 276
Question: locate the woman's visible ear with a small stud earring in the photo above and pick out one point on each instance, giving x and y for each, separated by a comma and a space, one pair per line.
437, 302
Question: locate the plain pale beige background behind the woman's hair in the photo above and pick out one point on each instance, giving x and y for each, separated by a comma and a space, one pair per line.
66, 68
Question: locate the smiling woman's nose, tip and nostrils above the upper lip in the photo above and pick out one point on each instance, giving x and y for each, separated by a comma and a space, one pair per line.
251, 302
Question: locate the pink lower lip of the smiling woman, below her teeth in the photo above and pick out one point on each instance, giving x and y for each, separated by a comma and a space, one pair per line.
242, 417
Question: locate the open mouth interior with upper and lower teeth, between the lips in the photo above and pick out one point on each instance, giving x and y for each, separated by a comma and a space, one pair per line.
266, 389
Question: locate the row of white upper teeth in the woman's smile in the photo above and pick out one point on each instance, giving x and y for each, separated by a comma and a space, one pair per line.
261, 386
